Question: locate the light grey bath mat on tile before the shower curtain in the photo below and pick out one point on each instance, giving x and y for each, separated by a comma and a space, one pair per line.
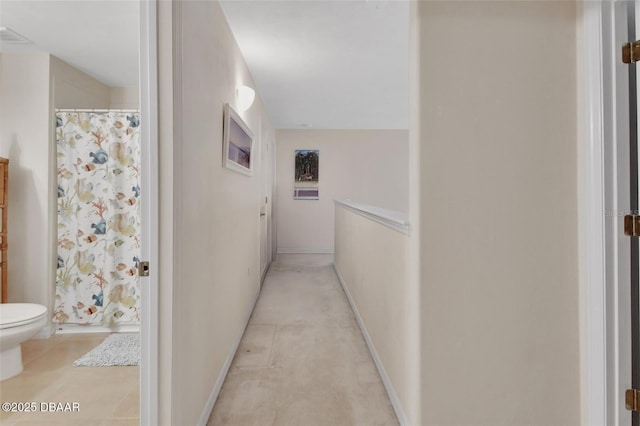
117, 349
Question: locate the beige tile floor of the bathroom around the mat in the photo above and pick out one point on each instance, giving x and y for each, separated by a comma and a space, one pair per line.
107, 396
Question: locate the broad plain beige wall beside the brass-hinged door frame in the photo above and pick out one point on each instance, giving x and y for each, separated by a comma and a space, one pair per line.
496, 128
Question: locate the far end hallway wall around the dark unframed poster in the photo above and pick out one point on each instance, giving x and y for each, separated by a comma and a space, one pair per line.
366, 166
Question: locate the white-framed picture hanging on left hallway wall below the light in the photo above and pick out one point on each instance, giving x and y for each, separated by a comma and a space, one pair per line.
238, 143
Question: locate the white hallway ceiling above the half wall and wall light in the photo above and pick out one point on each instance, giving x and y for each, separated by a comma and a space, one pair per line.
328, 64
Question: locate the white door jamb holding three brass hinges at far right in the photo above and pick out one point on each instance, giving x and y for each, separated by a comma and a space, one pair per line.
619, 262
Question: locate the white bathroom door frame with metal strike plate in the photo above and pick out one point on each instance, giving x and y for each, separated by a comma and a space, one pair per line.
149, 205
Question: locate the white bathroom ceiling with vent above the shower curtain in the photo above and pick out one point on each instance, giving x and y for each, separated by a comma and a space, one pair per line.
96, 36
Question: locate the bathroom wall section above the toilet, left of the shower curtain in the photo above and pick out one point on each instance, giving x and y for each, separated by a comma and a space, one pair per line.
24, 139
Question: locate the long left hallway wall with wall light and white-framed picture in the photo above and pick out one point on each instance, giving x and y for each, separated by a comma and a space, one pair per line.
214, 236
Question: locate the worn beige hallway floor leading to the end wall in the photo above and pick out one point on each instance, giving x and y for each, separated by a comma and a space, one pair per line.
302, 360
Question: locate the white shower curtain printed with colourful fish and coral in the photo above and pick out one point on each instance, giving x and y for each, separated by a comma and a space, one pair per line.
98, 217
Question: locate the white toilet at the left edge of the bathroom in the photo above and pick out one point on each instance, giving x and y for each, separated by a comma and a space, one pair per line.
18, 323
